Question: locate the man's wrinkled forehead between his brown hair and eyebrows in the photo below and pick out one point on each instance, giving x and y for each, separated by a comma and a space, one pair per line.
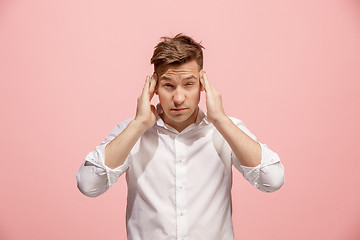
185, 69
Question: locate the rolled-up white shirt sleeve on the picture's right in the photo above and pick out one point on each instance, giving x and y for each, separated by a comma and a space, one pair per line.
269, 175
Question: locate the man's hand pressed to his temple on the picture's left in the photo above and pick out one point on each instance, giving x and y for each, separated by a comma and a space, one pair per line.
145, 111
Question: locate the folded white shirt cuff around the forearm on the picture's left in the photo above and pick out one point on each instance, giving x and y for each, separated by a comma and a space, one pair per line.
97, 157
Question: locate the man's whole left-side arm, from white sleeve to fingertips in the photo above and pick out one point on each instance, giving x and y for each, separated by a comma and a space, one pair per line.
102, 167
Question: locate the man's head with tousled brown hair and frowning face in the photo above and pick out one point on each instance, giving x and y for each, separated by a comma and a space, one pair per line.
177, 65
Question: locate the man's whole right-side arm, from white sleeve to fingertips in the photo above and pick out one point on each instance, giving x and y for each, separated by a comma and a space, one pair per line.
259, 165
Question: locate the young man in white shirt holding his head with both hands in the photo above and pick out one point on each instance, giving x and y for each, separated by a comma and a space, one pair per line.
178, 161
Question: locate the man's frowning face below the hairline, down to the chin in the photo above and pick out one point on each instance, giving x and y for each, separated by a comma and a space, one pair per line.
179, 94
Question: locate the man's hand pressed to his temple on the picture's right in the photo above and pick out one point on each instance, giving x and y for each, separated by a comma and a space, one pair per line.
215, 111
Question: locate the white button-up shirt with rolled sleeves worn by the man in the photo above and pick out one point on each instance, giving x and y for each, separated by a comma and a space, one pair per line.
179, 184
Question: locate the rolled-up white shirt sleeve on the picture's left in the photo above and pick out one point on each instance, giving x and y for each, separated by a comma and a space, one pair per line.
94, 177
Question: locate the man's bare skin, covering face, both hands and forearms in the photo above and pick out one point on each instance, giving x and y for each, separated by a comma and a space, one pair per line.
179, 90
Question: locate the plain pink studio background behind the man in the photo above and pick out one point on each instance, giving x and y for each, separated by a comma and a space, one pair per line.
71, 70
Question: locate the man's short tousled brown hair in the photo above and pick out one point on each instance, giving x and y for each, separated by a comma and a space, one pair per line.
177, 50
